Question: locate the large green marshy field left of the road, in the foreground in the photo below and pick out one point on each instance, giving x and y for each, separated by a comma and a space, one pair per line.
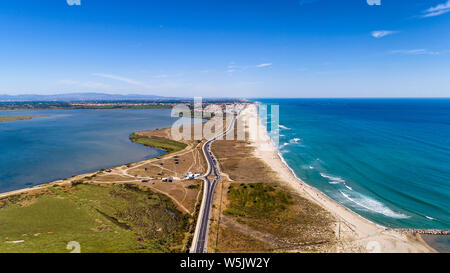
102, 218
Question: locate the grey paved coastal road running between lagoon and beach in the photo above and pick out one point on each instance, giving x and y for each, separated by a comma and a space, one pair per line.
201, 231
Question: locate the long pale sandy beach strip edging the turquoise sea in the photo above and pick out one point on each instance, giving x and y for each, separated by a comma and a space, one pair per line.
355, 233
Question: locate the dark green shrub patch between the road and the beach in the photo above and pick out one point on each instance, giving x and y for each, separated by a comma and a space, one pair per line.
256, 200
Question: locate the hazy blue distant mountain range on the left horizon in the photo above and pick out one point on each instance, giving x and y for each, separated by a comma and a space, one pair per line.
80, 97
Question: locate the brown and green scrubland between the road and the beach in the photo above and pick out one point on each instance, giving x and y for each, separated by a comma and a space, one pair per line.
267, 217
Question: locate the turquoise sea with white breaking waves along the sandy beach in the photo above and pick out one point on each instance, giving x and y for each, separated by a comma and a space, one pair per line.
386, 159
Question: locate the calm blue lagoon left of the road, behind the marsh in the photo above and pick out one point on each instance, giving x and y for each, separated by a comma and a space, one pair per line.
69, 142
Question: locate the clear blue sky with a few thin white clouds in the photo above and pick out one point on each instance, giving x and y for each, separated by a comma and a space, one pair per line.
253, 48
